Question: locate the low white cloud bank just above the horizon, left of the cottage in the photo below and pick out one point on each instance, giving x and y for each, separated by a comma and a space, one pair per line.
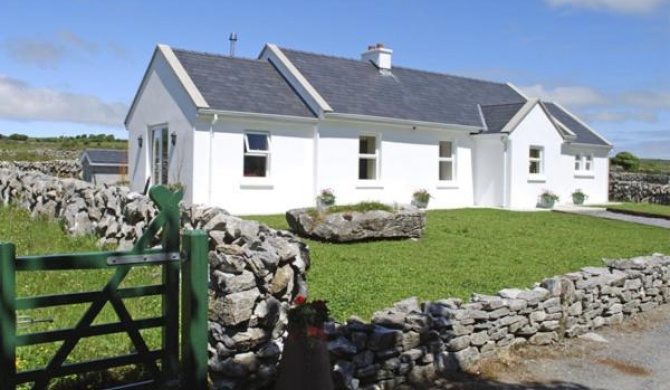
20, 101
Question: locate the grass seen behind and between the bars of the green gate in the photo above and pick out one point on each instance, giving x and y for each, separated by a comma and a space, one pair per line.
36, 237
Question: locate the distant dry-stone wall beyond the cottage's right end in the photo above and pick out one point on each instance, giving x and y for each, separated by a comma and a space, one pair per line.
640, 187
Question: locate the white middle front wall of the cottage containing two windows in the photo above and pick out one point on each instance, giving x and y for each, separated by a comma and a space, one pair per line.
408, 160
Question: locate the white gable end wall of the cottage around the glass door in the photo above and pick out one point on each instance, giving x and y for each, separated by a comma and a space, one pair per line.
162, 101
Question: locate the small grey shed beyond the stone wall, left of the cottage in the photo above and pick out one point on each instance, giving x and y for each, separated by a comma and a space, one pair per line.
104, 166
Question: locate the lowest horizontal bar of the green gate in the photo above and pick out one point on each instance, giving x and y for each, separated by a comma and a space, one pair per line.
91, 365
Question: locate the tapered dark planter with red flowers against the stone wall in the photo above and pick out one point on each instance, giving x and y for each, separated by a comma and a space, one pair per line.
305, 363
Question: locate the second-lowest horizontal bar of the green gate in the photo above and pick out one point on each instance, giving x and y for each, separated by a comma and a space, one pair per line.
94, 330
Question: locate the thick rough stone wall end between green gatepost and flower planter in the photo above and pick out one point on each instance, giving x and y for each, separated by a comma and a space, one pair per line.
255, 273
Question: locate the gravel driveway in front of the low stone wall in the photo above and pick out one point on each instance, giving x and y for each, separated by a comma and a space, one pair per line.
634, 355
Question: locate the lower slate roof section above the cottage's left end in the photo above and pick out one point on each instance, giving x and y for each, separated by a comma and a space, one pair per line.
242, 85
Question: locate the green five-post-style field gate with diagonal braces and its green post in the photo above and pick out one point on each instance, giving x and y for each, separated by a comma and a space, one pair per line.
163, 365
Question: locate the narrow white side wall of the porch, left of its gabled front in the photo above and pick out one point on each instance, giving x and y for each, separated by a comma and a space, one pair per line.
489, 171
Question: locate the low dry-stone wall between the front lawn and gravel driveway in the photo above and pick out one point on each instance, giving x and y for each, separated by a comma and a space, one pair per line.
413, 343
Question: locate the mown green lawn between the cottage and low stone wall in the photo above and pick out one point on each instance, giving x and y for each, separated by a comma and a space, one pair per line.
465, 251
